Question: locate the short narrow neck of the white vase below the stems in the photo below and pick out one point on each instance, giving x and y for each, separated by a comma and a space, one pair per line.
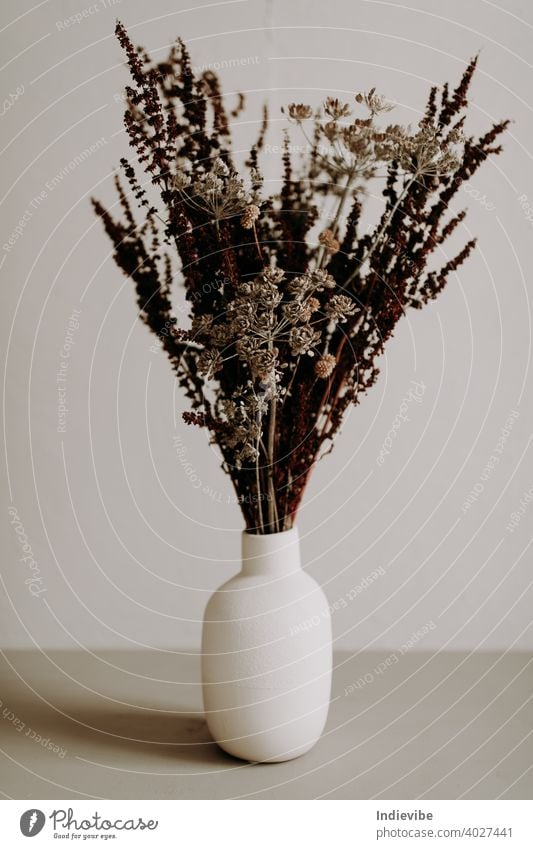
271, 554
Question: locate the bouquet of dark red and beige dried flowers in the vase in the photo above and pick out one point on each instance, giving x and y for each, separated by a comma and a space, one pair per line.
290, 305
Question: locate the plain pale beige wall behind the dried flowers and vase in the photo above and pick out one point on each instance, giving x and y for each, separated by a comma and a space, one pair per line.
125, 513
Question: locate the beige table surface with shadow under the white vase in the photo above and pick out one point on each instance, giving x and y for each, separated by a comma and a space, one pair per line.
129, 725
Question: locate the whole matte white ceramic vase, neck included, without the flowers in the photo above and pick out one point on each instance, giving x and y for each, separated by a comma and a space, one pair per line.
266, 654
